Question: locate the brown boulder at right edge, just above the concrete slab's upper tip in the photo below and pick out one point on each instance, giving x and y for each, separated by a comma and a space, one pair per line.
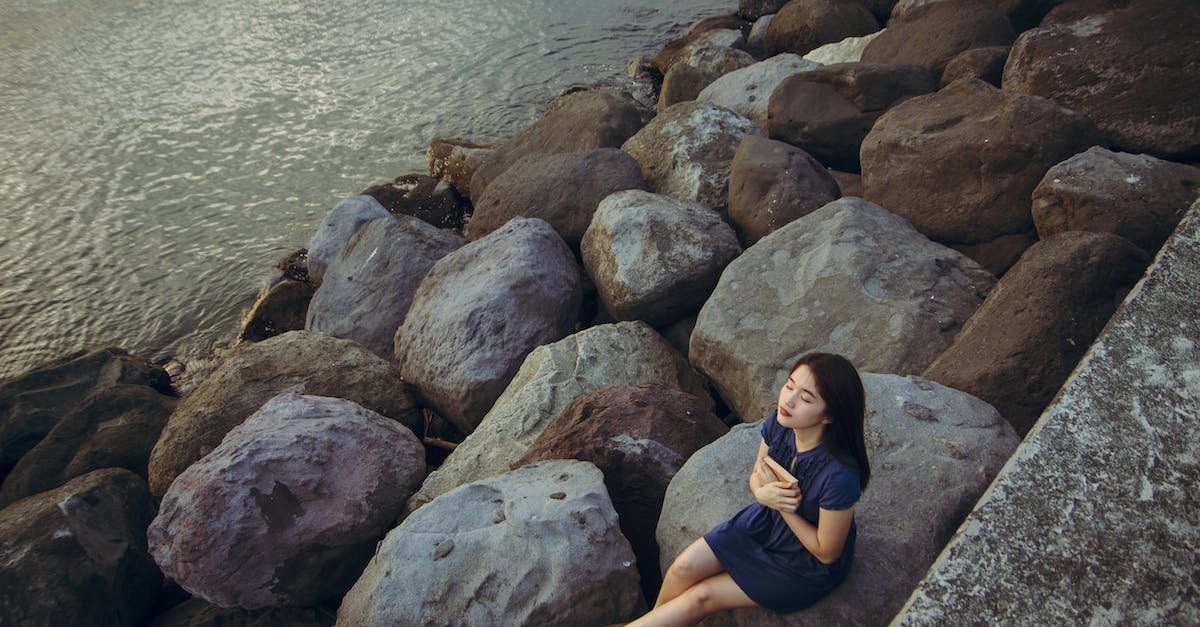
1138, 198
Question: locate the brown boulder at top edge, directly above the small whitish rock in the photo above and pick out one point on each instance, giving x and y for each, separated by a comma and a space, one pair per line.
803, 26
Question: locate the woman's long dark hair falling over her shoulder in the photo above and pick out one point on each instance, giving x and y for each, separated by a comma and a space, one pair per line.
839, 385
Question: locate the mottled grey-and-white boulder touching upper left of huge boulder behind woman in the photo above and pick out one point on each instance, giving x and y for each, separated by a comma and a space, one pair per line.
653, 258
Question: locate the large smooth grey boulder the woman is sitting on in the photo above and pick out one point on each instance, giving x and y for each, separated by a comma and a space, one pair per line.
933, 453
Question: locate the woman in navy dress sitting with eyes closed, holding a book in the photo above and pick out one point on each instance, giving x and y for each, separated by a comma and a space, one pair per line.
796, 544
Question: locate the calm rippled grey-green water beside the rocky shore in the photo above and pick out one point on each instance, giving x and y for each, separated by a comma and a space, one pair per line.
159, 158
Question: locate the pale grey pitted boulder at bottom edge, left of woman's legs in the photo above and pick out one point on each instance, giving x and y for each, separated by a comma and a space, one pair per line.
538, 546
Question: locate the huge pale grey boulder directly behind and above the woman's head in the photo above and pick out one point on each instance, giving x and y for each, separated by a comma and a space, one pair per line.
850, 279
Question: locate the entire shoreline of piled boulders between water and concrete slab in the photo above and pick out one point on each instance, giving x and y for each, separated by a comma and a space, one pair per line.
511, 391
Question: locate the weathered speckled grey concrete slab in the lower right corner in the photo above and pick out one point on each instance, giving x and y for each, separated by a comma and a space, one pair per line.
1096, 518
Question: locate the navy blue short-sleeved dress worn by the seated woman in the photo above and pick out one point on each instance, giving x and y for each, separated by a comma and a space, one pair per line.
763, 554
